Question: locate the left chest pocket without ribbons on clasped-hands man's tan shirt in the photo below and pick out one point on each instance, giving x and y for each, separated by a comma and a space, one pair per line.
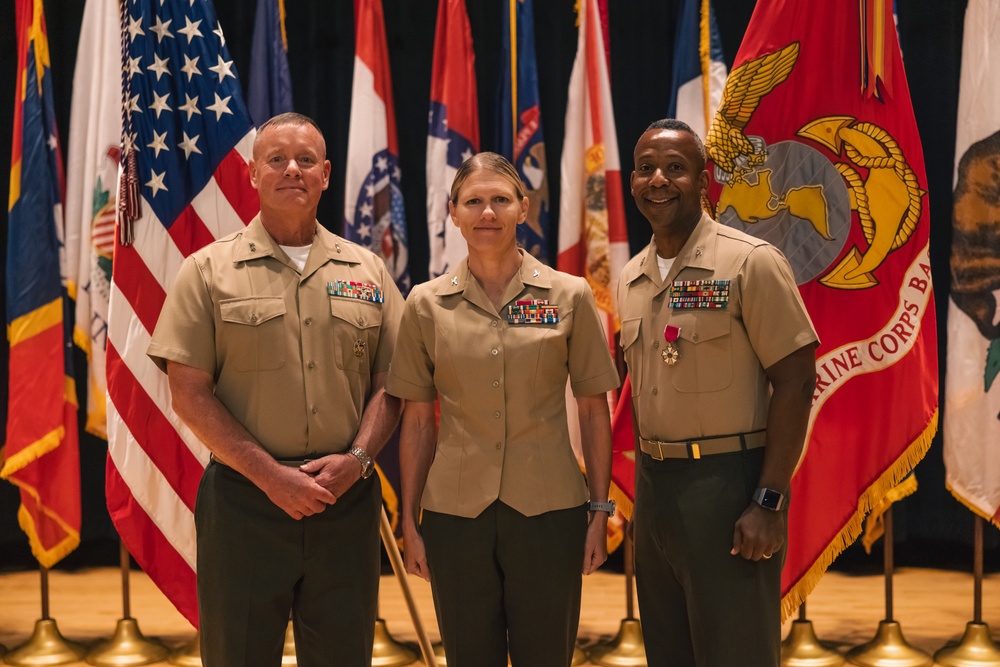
253, 332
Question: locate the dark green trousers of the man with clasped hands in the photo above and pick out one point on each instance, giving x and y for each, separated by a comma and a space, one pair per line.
256, 565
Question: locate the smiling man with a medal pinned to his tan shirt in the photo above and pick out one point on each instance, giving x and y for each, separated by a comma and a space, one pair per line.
712, 323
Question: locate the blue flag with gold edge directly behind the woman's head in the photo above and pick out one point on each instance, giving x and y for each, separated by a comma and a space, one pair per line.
519, 124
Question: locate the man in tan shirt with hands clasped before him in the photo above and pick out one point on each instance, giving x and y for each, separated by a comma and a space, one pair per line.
277, 340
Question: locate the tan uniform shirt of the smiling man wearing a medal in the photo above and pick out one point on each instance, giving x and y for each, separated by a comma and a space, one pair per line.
718, 385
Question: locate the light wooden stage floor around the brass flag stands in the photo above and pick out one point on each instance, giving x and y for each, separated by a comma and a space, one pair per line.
932, 606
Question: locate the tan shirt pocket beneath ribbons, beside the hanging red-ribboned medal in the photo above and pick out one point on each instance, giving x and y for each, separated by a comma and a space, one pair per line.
706, 351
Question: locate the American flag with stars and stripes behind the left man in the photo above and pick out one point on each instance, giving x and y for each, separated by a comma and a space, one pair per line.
193, 138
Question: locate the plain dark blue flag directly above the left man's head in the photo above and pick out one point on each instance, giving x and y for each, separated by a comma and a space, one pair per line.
270, 88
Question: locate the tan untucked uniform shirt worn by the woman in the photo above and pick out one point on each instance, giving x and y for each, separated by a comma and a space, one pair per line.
503, 431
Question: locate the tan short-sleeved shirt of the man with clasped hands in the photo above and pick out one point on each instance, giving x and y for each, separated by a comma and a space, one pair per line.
291, 362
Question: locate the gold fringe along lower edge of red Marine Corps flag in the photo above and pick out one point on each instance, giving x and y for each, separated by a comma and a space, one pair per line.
850, 532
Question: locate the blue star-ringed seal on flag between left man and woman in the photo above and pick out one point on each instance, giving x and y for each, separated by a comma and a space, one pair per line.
380, 201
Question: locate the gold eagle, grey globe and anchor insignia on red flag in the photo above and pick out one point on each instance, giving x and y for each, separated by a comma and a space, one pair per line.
795, 197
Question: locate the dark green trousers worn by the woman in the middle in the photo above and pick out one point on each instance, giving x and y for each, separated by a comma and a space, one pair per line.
504, 582
